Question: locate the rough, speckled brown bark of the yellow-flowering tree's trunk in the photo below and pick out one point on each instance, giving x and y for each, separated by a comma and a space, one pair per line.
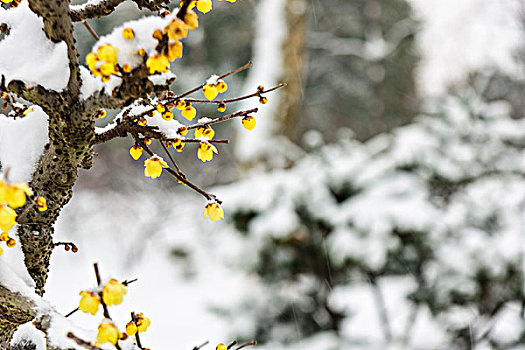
70, 147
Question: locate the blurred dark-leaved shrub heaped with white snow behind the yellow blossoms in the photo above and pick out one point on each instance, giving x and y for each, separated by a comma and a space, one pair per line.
423, 227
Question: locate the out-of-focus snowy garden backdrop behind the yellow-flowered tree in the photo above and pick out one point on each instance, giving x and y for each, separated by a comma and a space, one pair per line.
378, 203
